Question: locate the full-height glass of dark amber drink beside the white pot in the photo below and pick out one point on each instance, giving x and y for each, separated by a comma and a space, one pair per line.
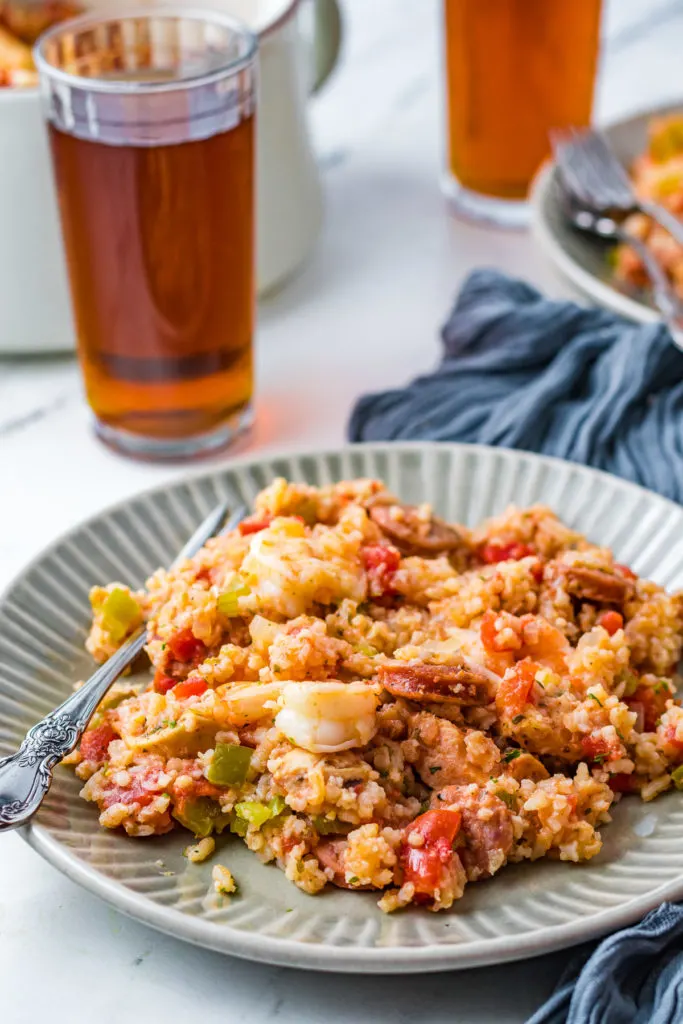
151, 117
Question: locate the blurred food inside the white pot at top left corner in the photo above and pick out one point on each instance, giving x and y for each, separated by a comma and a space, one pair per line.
21, 25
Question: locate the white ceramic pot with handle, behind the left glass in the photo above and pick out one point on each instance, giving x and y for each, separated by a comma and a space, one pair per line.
35, 312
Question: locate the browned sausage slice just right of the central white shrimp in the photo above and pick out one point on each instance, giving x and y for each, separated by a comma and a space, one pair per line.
461, 685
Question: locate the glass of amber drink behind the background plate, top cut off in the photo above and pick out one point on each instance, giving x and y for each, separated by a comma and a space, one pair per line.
515, 70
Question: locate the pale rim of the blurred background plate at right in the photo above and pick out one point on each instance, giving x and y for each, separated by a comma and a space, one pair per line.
602, 293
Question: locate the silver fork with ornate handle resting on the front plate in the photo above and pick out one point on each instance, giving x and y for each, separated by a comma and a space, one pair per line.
27, 776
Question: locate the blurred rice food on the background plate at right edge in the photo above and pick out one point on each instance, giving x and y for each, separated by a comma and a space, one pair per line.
657, 176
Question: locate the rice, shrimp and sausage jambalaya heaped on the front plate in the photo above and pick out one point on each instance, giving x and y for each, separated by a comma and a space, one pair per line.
376, 700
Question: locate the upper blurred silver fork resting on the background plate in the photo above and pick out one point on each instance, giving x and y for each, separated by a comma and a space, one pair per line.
592, 173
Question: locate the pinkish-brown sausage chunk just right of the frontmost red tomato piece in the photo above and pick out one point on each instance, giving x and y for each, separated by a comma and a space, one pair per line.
486, 829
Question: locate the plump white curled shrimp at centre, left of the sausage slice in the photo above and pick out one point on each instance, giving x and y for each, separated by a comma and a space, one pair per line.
325, 718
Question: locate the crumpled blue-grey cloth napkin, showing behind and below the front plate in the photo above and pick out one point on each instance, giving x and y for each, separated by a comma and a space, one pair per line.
525, 372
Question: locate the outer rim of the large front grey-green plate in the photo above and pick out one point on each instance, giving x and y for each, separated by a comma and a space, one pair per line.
284, 952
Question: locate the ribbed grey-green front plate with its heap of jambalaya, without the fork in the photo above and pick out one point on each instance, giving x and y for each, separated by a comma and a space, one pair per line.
495, 688
